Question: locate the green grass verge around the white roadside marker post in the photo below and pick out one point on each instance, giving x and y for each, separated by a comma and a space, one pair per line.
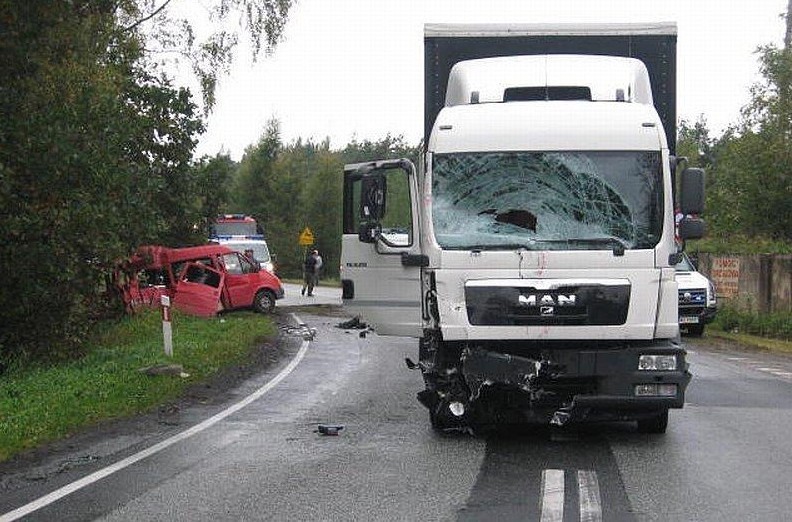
46, 403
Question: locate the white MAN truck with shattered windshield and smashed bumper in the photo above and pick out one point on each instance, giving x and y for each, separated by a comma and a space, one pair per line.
532, 252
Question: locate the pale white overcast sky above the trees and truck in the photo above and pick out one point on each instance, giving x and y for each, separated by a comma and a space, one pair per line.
354, 68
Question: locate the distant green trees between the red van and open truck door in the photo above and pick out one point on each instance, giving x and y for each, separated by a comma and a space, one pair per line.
290, 187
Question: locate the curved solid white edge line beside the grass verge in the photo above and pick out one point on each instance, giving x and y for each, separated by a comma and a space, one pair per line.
109, 470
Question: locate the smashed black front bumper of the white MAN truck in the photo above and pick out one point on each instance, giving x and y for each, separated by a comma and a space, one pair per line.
571, 385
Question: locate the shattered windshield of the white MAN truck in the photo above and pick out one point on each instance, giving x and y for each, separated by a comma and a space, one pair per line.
547, 200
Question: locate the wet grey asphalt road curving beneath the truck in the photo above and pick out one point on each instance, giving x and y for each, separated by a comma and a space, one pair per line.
726, 455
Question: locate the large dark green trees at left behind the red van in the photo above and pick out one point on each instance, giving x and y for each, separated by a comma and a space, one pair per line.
95, 151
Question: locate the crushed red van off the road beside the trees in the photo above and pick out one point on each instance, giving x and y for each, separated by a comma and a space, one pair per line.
201, 280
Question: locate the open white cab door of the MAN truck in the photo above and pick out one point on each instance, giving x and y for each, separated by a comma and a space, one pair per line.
381, 258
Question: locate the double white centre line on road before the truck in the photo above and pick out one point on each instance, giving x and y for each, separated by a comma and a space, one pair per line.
553, 496
